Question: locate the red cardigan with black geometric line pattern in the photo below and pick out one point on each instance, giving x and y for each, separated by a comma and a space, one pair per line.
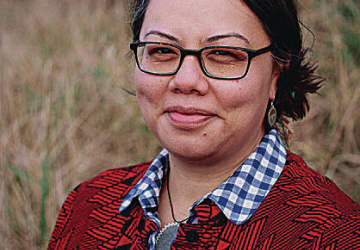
303, 210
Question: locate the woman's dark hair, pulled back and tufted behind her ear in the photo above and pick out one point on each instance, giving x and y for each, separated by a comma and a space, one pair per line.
281, 22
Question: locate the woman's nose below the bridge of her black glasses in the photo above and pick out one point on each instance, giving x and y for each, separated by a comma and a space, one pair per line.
190, 78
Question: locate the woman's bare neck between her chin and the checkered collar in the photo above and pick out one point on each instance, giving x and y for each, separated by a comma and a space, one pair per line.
190, 180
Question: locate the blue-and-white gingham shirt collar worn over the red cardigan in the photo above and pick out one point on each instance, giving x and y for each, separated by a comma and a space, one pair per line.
238, 197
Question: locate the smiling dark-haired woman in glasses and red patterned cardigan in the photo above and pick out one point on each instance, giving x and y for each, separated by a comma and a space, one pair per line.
212, 79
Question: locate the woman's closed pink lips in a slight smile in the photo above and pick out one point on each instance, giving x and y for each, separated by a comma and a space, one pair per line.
188, 118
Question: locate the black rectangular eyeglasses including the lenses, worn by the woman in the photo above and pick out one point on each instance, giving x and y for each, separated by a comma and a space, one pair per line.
218, 62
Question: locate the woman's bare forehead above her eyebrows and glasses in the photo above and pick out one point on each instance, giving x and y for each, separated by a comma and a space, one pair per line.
198, 20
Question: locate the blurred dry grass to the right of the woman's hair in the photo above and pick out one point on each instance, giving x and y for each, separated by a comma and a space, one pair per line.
329, 138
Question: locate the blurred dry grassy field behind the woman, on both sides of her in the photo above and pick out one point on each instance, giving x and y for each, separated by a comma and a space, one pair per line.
64, 116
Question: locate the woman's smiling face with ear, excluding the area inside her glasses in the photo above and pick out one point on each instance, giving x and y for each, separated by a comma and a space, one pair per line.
196, 117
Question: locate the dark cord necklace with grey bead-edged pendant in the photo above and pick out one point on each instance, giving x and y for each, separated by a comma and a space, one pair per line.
167, 235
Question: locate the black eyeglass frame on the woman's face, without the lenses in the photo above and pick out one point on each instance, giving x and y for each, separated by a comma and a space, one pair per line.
185, 52
